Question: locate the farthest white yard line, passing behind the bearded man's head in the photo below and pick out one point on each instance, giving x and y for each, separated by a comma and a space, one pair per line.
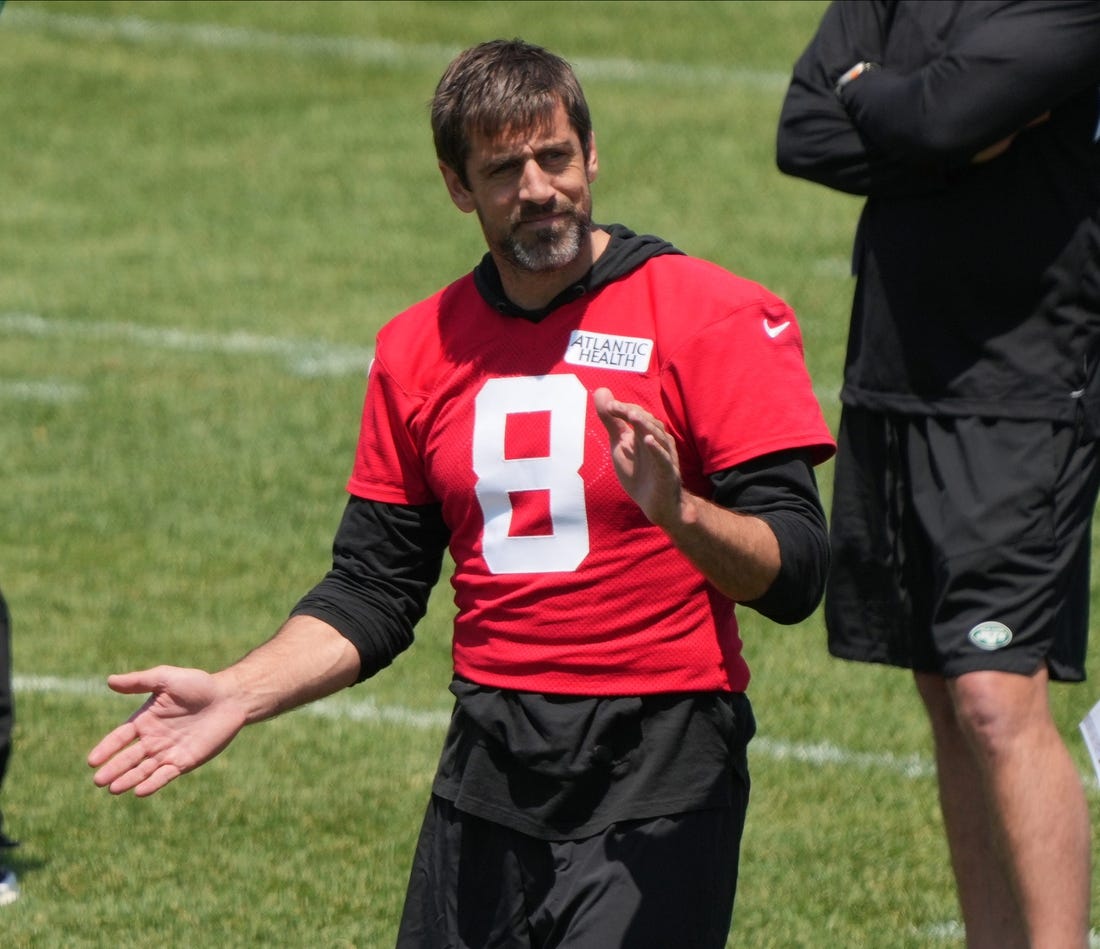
359, 50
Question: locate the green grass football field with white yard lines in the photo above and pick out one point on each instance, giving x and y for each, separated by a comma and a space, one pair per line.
207, 209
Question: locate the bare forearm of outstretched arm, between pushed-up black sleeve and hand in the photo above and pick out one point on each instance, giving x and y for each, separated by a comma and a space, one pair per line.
306, 660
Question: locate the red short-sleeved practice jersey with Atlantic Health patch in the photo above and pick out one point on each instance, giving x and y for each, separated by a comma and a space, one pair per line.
562, 583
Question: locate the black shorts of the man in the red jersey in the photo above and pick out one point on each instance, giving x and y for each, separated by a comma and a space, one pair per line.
644, 885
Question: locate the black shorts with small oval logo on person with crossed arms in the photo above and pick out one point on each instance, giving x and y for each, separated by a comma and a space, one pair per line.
962, 545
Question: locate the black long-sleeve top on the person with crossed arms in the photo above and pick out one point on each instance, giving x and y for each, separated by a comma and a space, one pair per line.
978, 288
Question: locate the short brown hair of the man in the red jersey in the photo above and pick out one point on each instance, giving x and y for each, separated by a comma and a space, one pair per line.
501, 85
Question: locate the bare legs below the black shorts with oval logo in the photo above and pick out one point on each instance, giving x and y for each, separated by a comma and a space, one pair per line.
1015, 811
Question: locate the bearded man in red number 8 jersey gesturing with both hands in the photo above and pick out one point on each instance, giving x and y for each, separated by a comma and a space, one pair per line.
617, 444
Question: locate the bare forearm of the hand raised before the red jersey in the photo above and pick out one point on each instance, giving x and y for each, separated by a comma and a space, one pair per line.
738, 554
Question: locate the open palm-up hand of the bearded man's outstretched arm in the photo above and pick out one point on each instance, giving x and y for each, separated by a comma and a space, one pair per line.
186, 721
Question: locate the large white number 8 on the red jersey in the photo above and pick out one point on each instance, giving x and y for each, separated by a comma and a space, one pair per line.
559, 473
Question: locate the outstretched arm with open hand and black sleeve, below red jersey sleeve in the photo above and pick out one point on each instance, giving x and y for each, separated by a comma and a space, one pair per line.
191, 715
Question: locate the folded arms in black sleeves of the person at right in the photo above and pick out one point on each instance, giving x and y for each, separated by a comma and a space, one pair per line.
951, 79
